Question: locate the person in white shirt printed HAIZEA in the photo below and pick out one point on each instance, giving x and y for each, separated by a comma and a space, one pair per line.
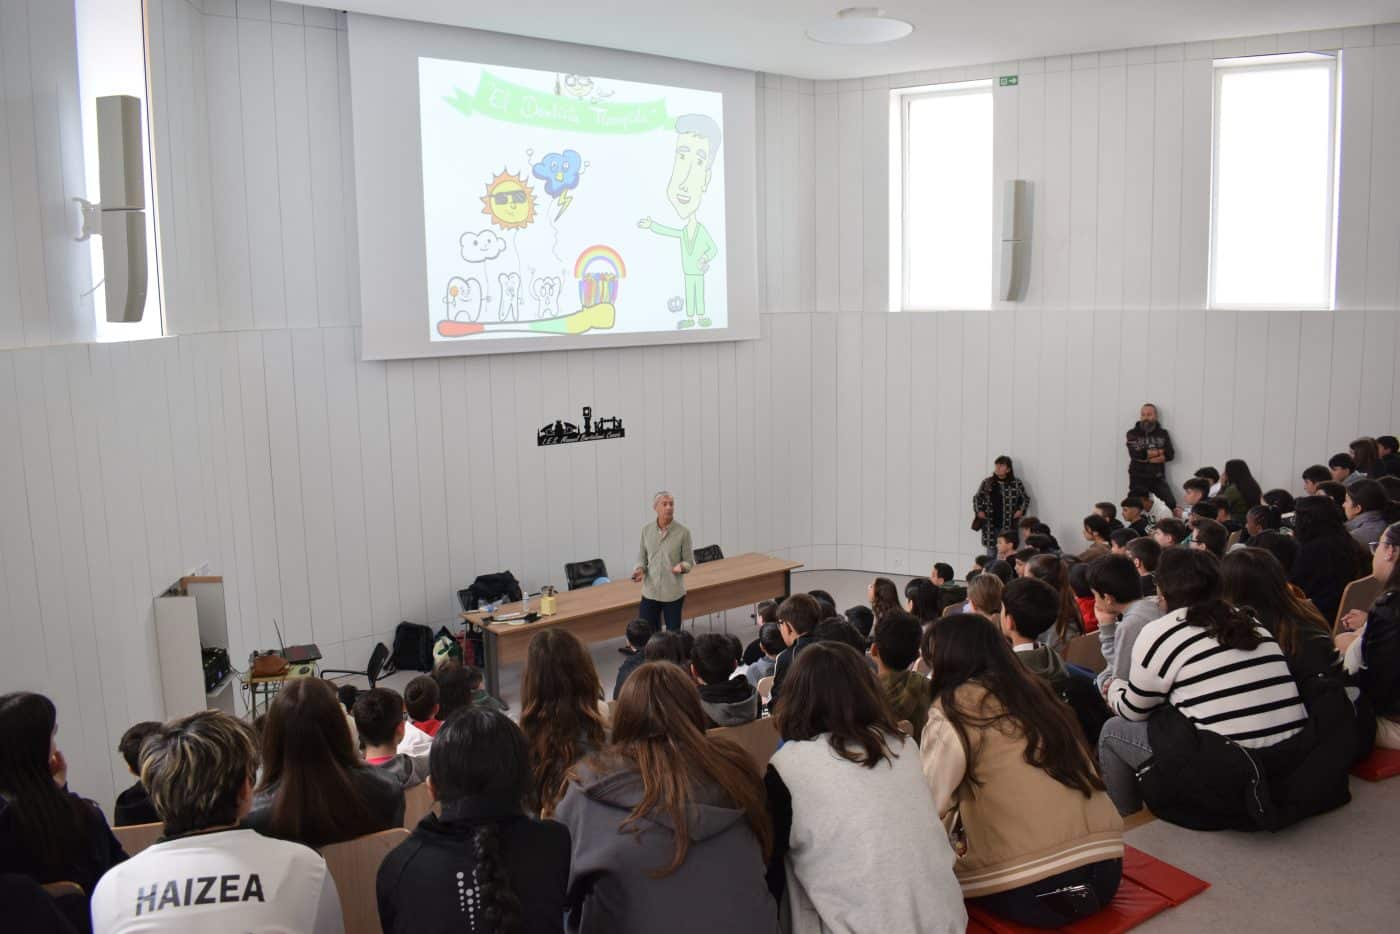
208, 873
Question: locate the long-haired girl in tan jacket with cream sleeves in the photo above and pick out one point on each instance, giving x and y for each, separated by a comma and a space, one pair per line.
1014, 782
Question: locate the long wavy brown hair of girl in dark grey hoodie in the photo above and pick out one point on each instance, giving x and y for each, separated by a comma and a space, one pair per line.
659, 732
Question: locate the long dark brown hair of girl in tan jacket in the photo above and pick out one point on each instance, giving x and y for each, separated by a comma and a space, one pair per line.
964, 649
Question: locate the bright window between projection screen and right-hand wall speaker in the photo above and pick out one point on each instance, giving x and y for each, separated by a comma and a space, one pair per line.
941, 208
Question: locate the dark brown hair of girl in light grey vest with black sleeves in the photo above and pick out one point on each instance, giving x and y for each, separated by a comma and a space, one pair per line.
831, 690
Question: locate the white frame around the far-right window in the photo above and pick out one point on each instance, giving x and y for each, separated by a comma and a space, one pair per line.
1282, 62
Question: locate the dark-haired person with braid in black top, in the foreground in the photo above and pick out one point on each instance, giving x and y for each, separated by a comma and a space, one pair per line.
484, 865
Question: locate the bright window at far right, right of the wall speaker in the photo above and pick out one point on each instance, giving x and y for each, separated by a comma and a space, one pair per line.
1275, 183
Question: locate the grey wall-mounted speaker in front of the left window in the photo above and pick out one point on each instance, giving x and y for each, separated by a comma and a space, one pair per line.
121, 216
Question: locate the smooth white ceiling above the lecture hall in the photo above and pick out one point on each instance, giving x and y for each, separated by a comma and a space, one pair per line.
768, 36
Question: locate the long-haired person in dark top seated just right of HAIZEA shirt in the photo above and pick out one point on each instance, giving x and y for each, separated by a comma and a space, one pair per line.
316, 789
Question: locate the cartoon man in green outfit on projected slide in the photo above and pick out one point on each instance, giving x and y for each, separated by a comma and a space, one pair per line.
698, 144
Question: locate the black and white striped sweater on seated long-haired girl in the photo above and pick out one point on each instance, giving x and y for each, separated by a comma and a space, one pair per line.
1248, 697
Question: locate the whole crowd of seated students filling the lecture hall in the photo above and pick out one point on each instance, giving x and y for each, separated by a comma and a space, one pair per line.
939, 748
